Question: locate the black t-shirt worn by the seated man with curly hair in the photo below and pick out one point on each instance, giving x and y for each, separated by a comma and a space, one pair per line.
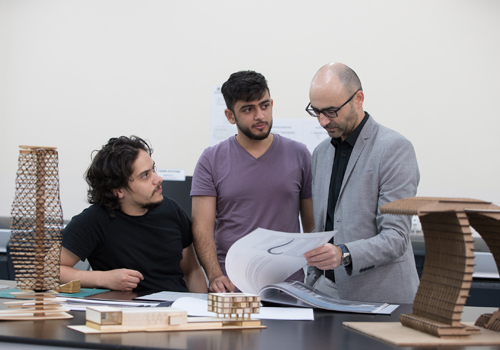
151, 244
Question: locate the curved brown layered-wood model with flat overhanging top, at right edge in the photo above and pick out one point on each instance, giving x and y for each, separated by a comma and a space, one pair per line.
449, 261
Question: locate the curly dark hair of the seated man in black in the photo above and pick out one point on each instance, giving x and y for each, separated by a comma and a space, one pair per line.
111, 169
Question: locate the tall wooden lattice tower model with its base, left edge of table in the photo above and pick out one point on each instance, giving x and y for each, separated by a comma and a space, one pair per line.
36, 234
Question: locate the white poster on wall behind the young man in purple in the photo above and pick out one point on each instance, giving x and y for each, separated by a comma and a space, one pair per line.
308, 131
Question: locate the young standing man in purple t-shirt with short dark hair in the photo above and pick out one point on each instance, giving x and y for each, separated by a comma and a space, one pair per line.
253, 179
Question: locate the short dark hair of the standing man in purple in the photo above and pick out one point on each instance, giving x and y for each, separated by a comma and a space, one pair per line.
243, 86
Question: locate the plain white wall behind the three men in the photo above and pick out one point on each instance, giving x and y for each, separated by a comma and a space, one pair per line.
75, 73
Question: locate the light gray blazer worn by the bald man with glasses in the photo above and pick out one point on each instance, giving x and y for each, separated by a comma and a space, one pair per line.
382, 168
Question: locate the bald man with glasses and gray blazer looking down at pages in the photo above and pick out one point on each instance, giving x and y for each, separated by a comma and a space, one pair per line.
362, 166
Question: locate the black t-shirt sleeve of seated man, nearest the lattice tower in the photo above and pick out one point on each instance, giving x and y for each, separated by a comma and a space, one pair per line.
80, 236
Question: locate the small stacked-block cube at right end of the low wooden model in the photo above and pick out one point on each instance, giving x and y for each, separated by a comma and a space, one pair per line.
228, 304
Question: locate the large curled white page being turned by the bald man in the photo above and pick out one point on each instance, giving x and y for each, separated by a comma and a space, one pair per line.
265, 257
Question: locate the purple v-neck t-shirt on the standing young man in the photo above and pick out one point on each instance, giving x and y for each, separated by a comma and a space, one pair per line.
253, 192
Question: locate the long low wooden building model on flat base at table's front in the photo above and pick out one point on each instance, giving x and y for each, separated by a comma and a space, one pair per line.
104, 319
